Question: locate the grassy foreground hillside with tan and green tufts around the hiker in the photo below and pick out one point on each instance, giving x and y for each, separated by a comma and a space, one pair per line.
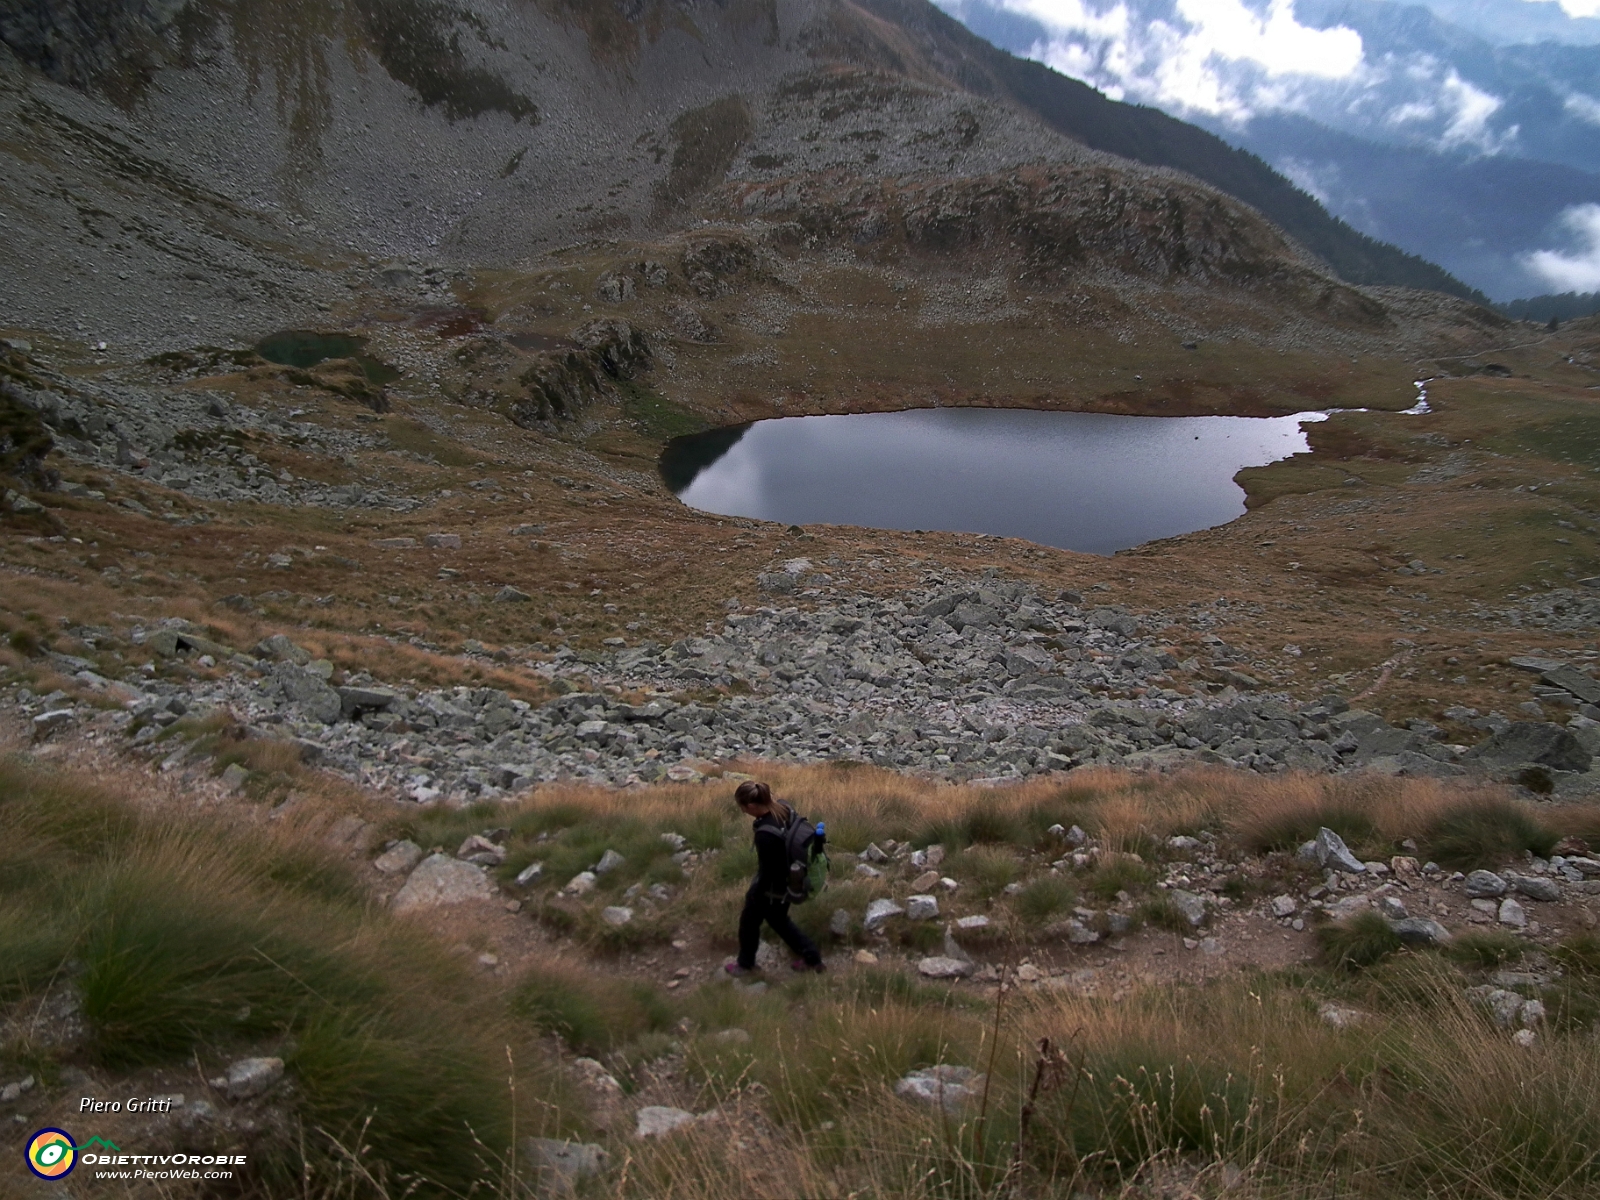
138, 940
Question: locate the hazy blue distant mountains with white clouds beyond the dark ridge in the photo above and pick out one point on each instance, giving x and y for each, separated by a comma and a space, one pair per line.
1434, 127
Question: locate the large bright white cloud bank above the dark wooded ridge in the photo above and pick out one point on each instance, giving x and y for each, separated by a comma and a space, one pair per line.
1236, 60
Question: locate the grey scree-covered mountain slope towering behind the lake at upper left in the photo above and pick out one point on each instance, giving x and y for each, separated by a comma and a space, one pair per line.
231, 166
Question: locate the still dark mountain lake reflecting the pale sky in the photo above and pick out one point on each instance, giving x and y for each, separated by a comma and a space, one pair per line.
1079, 481
